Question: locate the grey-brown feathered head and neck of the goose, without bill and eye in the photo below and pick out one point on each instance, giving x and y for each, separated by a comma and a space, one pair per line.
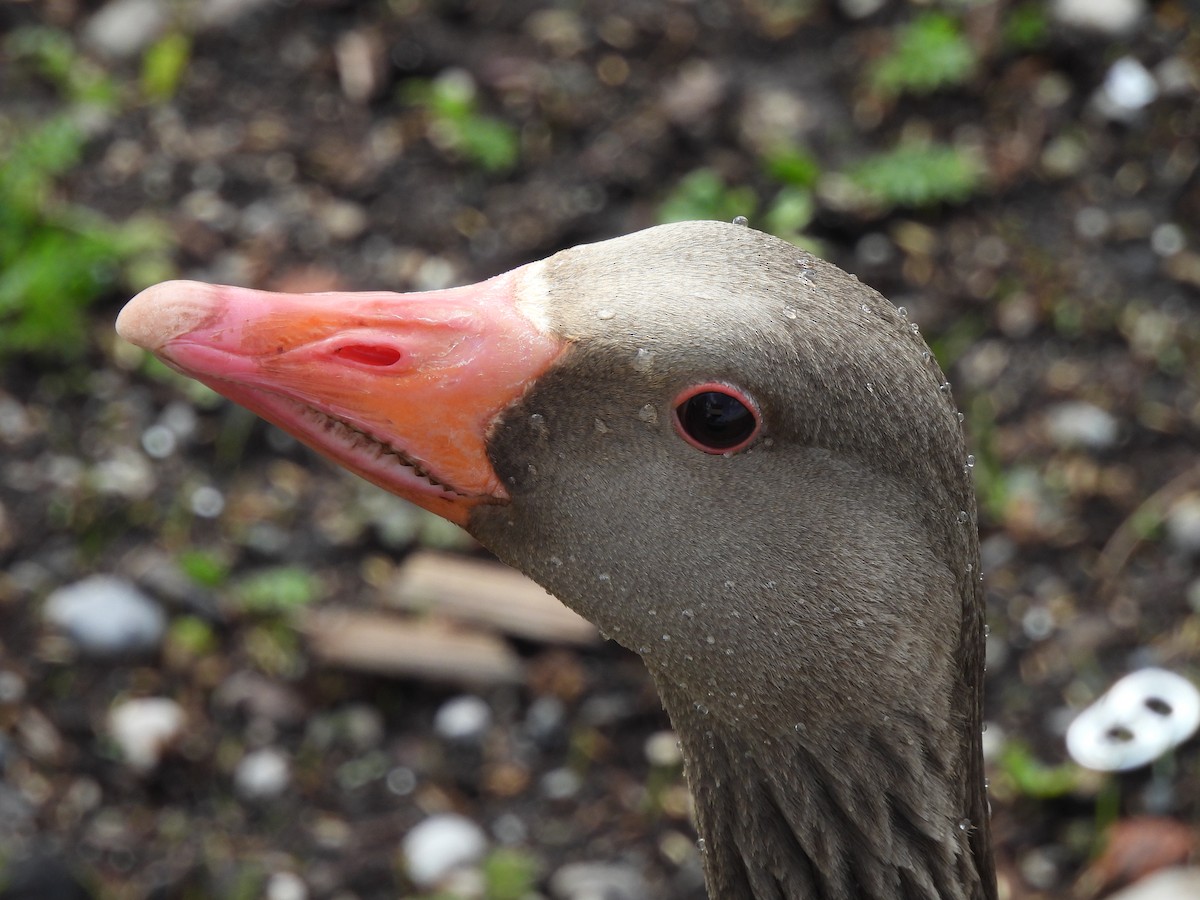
809, 608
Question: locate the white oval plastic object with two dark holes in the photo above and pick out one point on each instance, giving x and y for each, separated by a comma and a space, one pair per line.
1141, 718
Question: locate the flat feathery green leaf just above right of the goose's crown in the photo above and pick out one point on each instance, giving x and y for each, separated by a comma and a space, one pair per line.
917, 173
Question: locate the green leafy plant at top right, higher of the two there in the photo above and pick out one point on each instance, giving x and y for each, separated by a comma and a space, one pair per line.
929, 53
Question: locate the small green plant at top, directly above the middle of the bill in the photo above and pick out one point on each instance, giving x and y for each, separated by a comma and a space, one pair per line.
457, 124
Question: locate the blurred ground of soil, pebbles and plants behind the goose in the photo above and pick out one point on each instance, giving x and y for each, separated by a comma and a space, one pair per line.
208, 677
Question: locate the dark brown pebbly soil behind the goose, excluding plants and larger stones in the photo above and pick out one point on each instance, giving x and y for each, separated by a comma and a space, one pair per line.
1072, 274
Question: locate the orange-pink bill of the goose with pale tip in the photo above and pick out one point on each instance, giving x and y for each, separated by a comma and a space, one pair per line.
398, 388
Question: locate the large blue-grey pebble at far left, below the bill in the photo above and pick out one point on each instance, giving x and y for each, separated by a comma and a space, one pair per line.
106, 616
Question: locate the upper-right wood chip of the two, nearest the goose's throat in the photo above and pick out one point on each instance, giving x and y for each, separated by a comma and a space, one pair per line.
487, 595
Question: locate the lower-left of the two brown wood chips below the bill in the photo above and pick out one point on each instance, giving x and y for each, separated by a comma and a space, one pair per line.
398, 646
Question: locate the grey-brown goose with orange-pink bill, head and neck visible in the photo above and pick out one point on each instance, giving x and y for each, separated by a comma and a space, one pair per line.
731, 457
